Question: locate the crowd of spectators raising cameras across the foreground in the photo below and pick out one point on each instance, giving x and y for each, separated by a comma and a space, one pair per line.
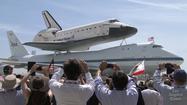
73, 84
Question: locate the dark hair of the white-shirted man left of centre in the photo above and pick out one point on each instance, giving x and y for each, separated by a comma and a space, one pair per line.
72, 69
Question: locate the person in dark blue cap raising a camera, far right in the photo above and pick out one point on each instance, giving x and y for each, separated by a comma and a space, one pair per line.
175, 94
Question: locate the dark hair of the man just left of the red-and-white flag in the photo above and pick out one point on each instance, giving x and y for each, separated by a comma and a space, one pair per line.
119, 80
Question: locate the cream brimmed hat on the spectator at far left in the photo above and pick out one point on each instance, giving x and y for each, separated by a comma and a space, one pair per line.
10, 82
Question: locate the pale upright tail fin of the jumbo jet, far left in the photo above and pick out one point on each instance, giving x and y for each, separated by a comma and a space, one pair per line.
16, 48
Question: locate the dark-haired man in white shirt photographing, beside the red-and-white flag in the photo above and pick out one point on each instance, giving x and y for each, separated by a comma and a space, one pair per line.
124, 89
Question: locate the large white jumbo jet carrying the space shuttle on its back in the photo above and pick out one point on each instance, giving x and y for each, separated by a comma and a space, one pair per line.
126, 56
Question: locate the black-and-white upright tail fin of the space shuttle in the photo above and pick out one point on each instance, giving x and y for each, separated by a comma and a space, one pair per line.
50, 21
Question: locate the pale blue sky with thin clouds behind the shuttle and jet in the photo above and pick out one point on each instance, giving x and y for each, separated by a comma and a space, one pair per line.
163, 19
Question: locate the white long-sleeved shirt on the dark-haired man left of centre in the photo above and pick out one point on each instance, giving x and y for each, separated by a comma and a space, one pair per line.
71, 92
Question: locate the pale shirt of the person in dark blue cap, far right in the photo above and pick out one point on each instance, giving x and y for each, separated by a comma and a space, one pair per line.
172, 95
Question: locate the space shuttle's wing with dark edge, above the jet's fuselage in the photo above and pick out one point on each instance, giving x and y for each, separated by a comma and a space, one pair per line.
76, 45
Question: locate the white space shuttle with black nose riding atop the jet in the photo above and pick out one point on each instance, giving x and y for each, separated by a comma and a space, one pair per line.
79, 38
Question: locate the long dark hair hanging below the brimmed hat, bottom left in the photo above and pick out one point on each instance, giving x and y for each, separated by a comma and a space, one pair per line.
39, 98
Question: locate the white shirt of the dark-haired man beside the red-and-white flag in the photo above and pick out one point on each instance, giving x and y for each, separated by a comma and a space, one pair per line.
106, 96
